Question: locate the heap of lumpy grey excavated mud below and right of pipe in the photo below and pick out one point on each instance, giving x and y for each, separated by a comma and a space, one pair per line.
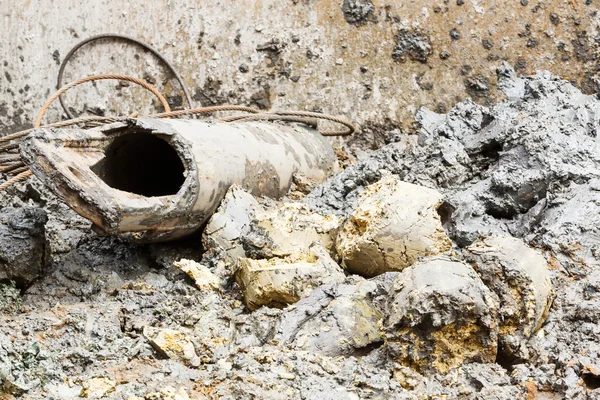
113, 319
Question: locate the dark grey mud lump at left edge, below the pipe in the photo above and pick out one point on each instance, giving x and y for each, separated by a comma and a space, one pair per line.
22, 244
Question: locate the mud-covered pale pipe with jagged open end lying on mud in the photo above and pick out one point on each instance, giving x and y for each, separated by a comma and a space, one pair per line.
156, 179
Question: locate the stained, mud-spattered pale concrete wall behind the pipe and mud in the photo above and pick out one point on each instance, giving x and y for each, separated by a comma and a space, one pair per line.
375, 63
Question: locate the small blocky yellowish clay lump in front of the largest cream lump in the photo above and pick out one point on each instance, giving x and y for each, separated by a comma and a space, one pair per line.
277, 282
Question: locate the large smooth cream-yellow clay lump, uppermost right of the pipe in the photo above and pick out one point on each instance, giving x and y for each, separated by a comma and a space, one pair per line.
393, 225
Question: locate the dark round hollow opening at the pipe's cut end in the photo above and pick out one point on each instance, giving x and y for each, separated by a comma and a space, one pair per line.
141, 163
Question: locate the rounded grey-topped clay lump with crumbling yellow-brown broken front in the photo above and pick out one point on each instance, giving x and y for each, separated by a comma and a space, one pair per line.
440, 316
